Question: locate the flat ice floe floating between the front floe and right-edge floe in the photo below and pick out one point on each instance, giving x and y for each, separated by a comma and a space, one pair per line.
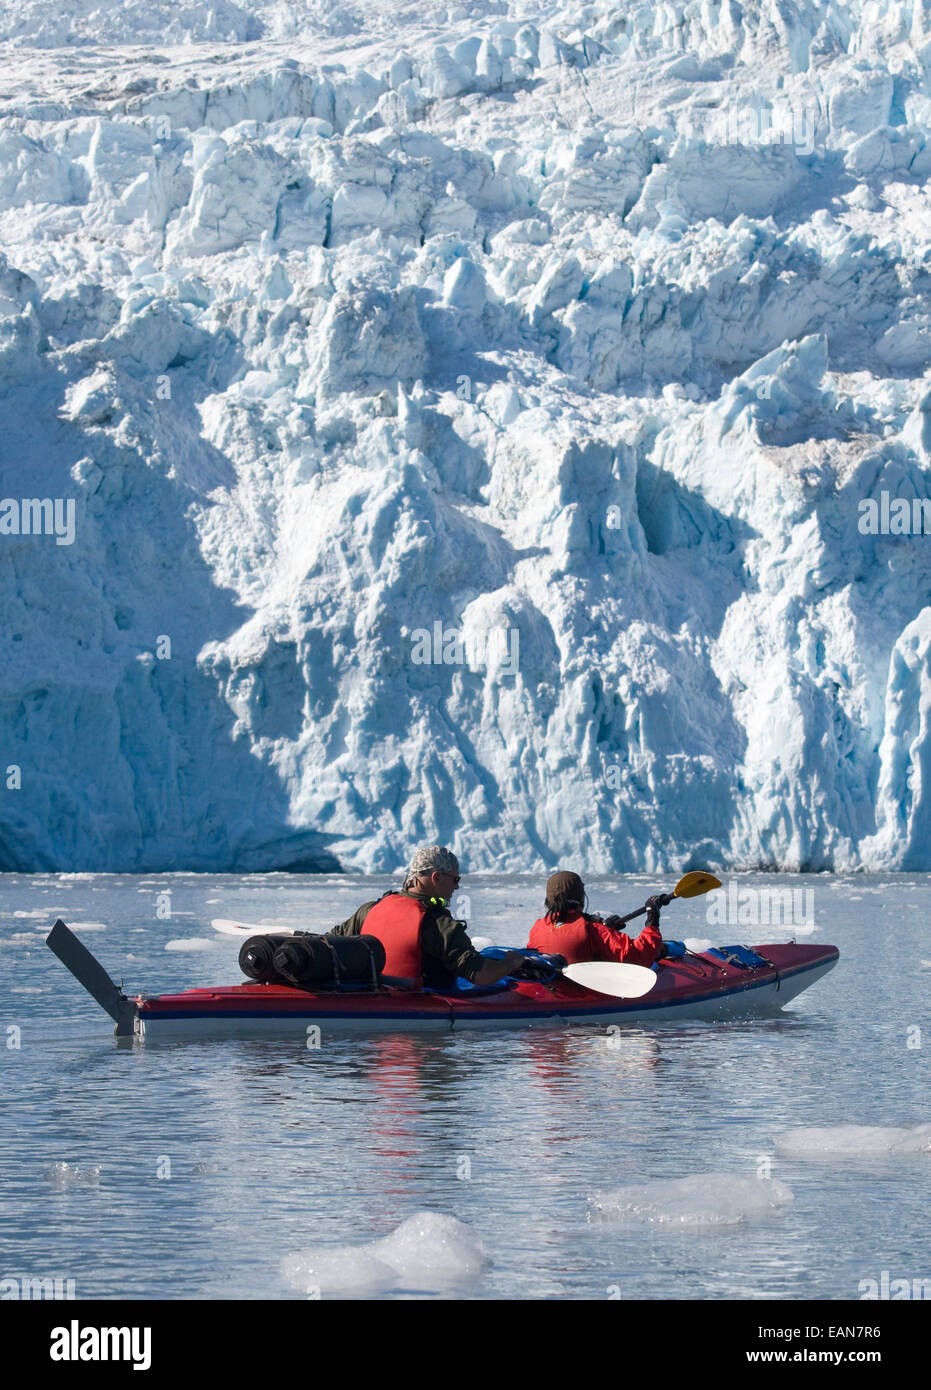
704, 1200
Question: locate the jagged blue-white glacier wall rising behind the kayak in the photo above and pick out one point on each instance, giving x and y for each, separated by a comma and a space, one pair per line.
576, 337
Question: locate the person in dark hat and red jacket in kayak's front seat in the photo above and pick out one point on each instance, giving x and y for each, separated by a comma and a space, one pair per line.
569, 931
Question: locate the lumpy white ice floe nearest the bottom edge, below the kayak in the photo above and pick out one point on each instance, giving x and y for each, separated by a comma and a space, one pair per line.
426, 1252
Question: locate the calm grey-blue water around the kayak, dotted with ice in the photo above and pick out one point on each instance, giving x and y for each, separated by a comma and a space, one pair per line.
273, 1149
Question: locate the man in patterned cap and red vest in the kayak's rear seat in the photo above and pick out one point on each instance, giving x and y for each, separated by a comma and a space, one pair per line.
423, 942
